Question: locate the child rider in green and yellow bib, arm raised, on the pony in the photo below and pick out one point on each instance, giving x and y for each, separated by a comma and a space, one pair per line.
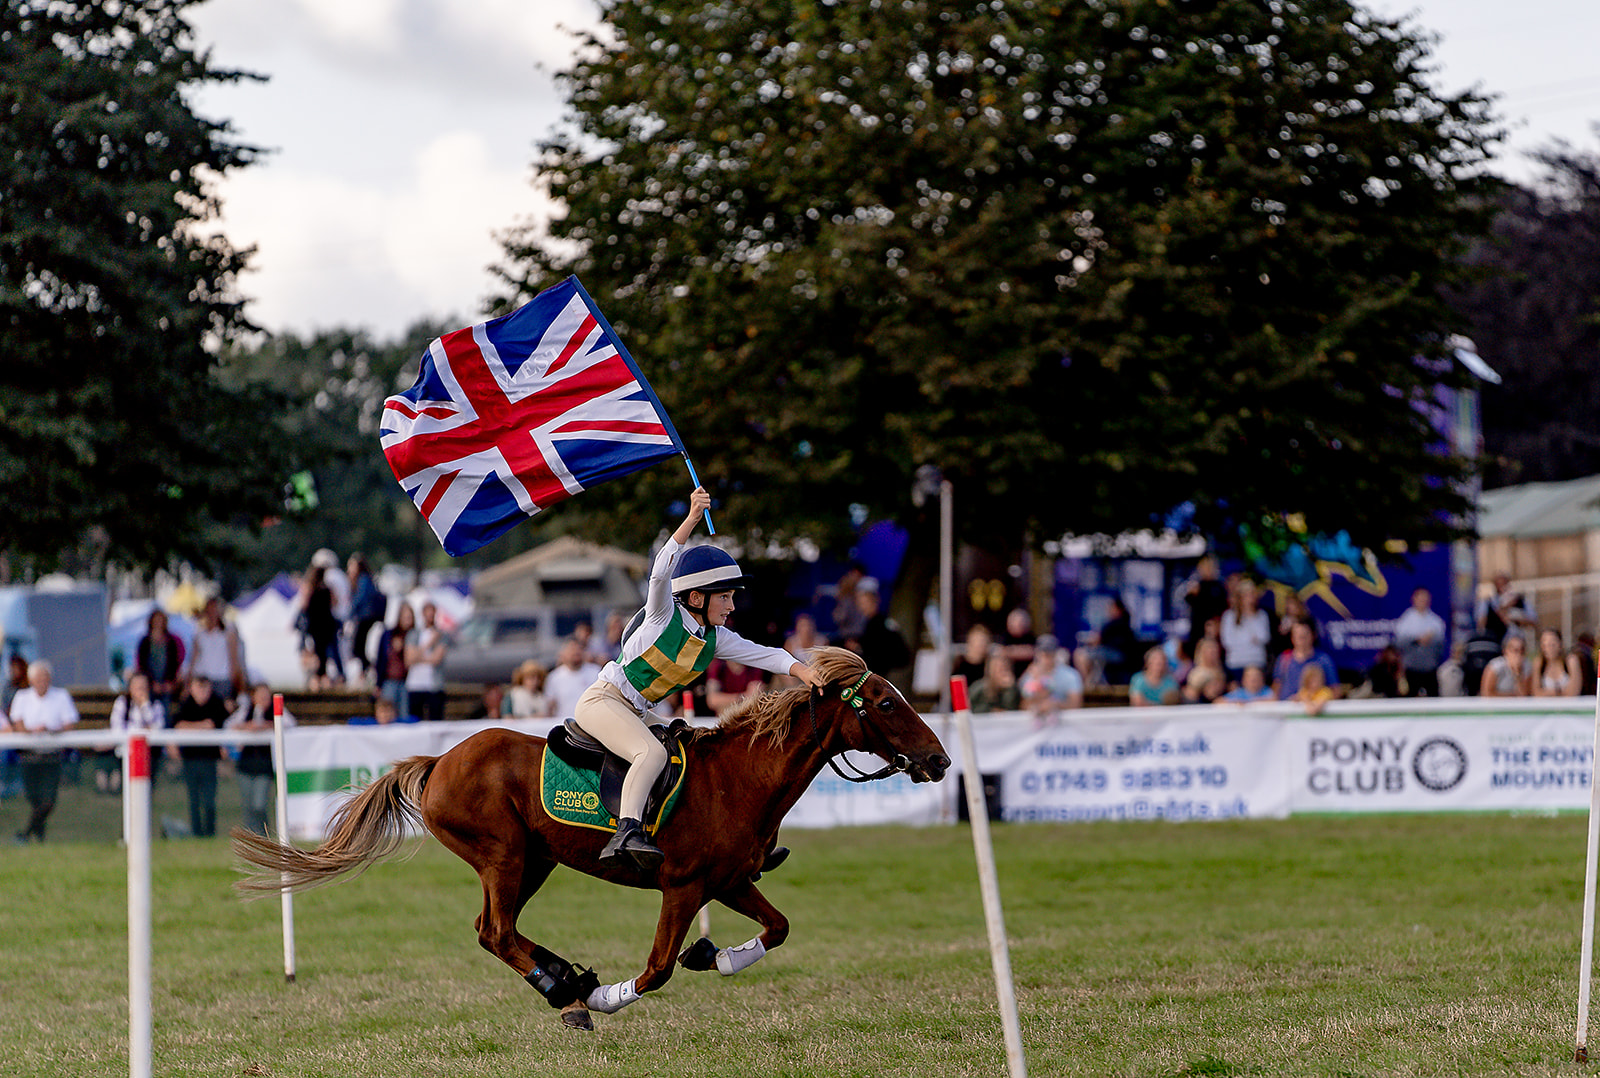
684, 628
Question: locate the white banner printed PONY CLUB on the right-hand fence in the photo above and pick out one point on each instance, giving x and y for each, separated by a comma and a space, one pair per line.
1442, 759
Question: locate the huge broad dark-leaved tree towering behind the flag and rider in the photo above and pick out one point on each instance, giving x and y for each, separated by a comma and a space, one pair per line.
1092, 260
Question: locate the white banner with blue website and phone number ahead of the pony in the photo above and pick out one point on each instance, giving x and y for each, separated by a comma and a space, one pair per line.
1183, 764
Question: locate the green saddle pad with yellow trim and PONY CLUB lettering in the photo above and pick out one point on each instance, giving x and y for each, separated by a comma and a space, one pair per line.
583, 788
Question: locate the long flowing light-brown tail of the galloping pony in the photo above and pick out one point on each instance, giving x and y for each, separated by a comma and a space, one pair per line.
364, 831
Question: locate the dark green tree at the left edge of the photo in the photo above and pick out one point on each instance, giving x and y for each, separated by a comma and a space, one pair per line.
116, 293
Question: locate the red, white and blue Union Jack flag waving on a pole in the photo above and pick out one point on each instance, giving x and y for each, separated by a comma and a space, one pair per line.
514, 415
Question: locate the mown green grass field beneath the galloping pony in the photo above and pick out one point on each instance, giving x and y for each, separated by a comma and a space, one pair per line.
1340, 946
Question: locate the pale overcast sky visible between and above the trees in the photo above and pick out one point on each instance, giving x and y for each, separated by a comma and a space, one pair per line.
402, 134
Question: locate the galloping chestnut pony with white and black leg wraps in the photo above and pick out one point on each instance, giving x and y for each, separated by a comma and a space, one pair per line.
482, 802
